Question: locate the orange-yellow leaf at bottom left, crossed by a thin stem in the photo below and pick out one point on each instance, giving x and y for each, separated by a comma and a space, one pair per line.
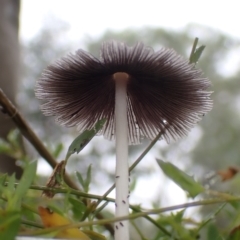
52, 219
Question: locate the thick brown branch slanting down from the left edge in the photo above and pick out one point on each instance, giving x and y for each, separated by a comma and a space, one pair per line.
27, 132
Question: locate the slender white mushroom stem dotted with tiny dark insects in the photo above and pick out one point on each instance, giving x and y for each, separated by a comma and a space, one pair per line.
122, 175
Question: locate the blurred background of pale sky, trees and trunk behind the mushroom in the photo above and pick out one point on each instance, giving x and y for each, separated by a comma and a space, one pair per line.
35, 33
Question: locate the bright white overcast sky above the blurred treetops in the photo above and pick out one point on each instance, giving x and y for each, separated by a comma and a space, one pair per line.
93, 17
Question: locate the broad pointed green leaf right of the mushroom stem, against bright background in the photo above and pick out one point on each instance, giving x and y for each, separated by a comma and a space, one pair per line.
183, 180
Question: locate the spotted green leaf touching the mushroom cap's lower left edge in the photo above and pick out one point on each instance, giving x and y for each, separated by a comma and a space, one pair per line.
84, 138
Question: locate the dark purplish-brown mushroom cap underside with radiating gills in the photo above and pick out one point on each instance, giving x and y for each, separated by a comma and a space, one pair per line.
164, 93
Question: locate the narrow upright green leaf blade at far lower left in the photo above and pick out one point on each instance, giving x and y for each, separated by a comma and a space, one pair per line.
23, 186
